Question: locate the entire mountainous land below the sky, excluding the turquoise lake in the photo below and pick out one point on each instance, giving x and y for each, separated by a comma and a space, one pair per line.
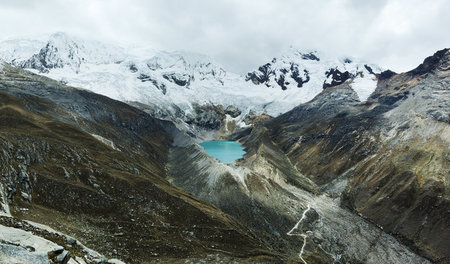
100, 161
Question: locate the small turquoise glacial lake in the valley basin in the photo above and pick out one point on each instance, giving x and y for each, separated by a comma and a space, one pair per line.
224, 151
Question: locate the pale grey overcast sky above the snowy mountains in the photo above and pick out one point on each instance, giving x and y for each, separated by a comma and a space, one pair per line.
243, 34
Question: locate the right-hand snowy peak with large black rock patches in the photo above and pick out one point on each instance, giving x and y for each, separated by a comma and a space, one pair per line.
312, 71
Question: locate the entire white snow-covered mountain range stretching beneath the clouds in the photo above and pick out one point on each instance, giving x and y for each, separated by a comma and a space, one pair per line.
176, 80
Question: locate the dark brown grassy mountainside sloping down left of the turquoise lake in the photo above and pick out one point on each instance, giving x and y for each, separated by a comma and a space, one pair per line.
93, 168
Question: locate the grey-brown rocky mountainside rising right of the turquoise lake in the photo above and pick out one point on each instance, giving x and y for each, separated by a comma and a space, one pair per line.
388, 157
